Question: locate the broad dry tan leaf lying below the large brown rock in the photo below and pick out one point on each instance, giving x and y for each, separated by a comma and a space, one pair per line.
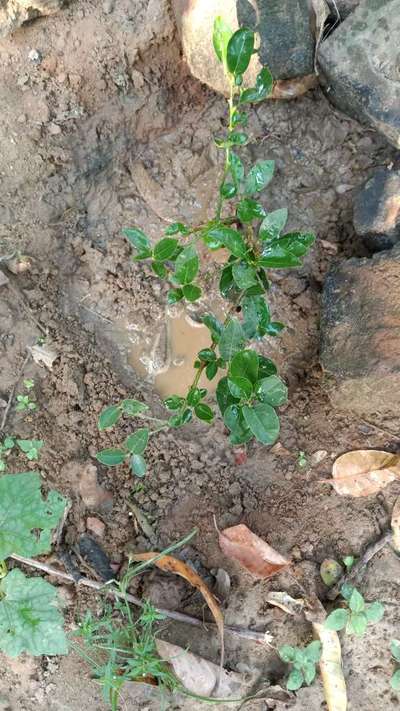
364, 472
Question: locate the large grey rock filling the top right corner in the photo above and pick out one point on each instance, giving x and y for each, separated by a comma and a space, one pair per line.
359, 64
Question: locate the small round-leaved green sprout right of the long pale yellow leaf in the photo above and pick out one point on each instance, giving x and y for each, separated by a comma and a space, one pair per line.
356, 615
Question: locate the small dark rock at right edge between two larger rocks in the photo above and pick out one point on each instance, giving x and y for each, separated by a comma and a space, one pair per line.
376, 215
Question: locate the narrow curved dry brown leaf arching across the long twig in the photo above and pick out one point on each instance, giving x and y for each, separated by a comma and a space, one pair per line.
172, 565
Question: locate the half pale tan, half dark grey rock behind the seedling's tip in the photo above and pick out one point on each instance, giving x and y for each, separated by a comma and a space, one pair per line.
286, 39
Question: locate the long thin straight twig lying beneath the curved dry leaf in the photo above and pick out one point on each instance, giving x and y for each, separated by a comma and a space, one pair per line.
258, 637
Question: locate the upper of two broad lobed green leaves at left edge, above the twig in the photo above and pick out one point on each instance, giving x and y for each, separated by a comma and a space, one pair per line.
27, 520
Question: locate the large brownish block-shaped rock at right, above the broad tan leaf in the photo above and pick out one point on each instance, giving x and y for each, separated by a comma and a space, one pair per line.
360, 334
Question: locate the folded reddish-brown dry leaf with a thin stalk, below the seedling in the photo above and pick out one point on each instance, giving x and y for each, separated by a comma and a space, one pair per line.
241, 544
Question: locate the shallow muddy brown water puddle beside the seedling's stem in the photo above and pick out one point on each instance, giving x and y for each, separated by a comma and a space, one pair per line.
166, 358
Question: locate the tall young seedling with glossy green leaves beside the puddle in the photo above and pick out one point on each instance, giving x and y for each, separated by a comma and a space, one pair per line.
249, 389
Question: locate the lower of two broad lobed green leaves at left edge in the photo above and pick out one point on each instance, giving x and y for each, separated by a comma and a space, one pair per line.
29, 618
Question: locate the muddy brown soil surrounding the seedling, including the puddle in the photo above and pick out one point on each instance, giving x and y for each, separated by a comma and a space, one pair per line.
106, 130
